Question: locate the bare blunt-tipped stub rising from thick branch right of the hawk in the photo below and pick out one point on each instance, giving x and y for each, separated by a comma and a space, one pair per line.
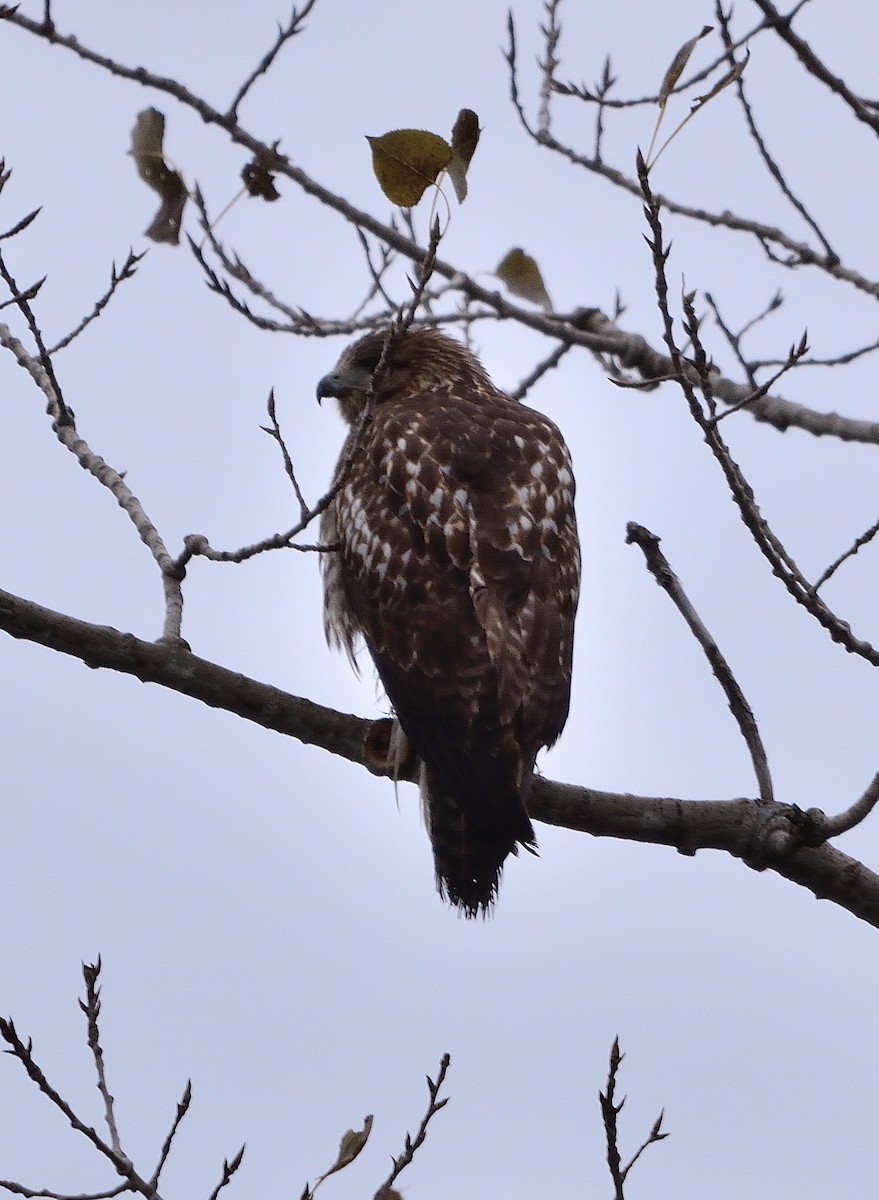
661, 571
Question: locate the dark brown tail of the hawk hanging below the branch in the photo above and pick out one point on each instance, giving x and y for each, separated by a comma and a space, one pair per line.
469, 860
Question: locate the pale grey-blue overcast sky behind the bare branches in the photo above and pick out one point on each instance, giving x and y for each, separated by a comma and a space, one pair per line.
267, 914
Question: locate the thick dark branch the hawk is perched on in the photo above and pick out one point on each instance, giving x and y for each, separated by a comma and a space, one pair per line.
763, 836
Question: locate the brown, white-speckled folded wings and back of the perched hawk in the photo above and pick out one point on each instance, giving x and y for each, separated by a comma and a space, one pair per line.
461, 566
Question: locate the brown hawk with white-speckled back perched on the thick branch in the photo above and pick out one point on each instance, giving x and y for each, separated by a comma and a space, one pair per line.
458, 565
